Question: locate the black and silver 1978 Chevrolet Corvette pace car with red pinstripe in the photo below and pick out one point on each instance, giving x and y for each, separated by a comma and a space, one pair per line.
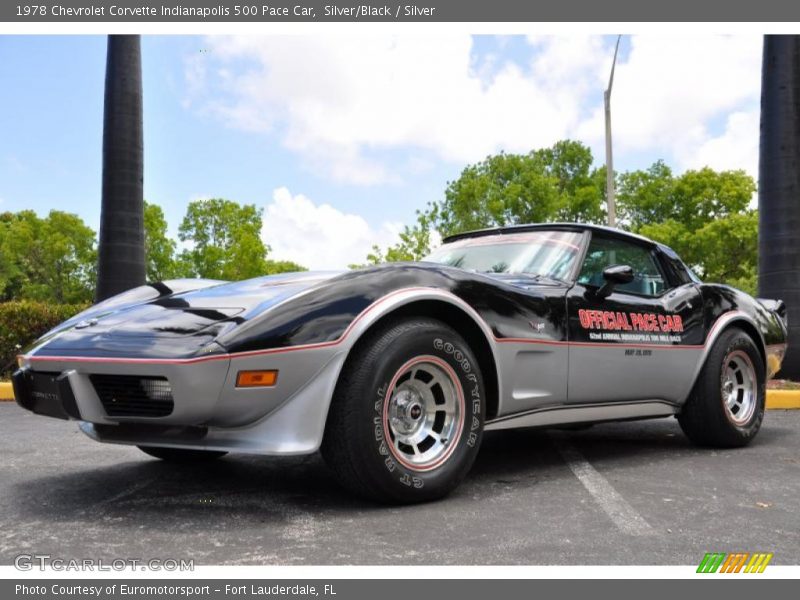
395, 371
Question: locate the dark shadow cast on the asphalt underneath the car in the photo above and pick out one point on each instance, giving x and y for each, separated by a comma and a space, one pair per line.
248, 490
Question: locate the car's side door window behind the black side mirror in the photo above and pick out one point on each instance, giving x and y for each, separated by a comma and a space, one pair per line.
648, 279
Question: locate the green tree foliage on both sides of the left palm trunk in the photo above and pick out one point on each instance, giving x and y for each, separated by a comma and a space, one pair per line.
54, 259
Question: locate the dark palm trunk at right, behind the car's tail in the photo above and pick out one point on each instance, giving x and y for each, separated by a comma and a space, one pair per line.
779, 185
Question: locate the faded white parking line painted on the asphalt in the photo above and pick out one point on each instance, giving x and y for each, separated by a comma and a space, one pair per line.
615, 506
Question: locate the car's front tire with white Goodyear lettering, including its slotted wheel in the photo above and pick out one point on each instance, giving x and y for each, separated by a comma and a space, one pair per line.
362, 447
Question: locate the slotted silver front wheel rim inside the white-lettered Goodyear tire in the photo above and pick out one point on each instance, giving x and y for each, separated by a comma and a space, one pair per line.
423, 413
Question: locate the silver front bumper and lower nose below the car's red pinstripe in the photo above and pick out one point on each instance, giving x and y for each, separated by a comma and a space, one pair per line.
209, 411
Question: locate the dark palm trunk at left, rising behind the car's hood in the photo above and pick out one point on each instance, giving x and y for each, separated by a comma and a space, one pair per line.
121, 263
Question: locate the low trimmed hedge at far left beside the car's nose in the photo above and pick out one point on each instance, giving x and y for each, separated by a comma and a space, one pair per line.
21, 323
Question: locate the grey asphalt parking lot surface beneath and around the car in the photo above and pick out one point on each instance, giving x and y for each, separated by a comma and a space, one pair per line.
626, 493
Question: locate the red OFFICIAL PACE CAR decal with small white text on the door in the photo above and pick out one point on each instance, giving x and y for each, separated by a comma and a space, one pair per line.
606, 325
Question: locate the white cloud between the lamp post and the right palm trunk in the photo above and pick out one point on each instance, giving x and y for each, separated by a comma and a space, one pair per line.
669, 90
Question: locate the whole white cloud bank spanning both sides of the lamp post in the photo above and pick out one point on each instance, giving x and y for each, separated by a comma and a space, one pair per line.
342, 103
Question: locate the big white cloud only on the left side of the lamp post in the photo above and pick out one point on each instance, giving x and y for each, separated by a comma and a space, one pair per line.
340, 100
